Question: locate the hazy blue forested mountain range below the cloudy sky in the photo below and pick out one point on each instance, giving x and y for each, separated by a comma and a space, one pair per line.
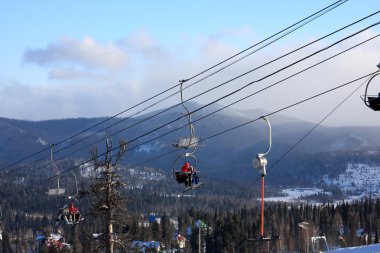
227, 156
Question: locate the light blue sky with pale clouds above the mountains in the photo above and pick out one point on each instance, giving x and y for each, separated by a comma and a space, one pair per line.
71, 59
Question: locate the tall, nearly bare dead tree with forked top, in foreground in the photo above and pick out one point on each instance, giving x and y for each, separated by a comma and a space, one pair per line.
106, 201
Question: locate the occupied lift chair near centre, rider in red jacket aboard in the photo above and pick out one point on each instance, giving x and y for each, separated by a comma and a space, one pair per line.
190, 178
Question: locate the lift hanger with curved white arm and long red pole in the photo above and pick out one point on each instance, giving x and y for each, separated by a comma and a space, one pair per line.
260, 163
